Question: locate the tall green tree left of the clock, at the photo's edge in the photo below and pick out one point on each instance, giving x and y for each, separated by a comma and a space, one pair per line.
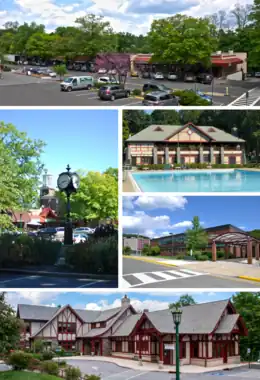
20, 168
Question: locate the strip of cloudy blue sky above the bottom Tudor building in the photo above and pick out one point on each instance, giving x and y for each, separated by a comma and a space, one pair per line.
101, 301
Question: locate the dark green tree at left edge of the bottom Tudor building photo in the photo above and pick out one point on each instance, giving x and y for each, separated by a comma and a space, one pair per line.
9, 327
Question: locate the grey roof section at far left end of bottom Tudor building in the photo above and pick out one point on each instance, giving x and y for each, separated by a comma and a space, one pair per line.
36, 312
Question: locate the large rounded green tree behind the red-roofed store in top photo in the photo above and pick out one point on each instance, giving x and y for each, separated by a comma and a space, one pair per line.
183, 40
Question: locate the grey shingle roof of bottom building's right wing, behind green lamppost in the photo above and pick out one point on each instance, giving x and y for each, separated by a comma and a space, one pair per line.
199, 318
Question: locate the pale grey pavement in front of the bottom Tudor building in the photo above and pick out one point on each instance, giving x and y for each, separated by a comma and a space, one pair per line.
113, 372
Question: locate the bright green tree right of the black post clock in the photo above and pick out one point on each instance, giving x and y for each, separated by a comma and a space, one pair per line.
96, 198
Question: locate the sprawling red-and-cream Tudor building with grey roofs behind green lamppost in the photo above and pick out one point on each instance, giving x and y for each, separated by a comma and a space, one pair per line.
209, 332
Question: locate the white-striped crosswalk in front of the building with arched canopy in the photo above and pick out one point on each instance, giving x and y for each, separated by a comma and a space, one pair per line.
133, 280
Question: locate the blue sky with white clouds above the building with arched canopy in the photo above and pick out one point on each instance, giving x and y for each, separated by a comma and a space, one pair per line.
161, 215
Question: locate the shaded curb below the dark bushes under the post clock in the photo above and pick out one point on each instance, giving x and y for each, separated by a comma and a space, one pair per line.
61, 274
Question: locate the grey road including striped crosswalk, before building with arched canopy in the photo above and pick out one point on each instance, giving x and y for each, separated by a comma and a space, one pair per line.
141, 274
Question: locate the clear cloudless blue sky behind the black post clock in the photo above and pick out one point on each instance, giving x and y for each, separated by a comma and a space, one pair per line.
85, 139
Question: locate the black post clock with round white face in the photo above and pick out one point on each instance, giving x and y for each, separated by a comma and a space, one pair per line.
69, 183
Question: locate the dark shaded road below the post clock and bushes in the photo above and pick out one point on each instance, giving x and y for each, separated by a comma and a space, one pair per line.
29, 281
